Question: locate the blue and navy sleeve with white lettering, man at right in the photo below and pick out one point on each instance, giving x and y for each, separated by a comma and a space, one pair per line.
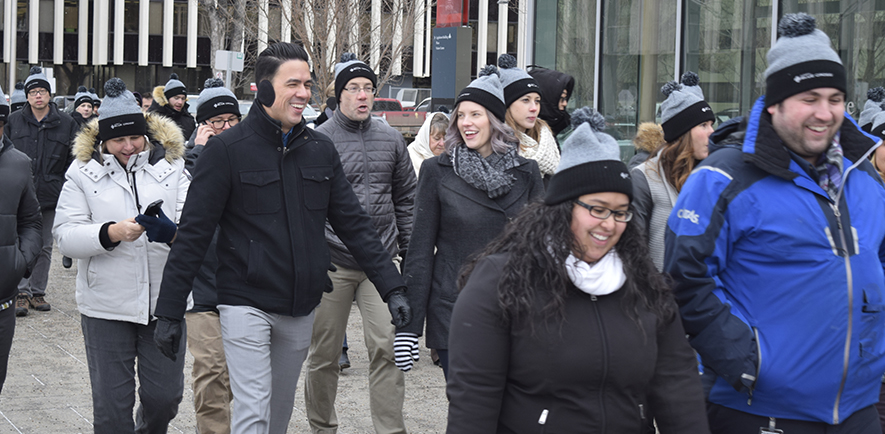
697, 245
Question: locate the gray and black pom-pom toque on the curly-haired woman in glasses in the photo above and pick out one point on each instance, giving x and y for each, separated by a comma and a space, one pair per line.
590, 163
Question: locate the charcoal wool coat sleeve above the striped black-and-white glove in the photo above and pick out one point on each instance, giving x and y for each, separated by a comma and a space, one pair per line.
418, 266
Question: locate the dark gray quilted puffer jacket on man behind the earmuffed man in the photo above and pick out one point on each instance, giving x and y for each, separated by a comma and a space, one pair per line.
377, 165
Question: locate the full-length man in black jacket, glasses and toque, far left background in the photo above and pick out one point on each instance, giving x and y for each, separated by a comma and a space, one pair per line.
45, 134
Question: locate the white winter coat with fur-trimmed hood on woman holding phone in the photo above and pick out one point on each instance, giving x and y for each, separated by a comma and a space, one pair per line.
122, 283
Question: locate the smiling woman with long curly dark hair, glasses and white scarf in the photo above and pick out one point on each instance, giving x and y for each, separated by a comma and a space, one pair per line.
562, 322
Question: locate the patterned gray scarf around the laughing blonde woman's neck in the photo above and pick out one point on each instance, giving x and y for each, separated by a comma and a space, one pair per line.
487, 174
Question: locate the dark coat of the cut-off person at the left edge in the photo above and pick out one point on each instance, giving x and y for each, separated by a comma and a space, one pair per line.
21, 233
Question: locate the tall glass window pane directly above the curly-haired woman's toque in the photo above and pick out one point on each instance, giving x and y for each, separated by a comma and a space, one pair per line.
638, 57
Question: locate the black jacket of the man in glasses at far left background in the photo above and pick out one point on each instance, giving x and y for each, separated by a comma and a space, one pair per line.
48, 145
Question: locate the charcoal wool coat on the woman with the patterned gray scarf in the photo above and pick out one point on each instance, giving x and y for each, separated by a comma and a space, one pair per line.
456, 220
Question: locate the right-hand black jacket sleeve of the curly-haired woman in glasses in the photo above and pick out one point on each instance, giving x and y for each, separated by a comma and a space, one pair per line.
675, 393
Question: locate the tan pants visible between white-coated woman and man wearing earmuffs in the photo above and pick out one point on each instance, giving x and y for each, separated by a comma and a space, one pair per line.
212, 394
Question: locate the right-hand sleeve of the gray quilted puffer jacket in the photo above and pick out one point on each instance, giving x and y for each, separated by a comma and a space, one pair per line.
403, 194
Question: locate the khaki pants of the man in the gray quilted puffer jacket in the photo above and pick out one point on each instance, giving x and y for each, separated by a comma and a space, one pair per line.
386, 381
